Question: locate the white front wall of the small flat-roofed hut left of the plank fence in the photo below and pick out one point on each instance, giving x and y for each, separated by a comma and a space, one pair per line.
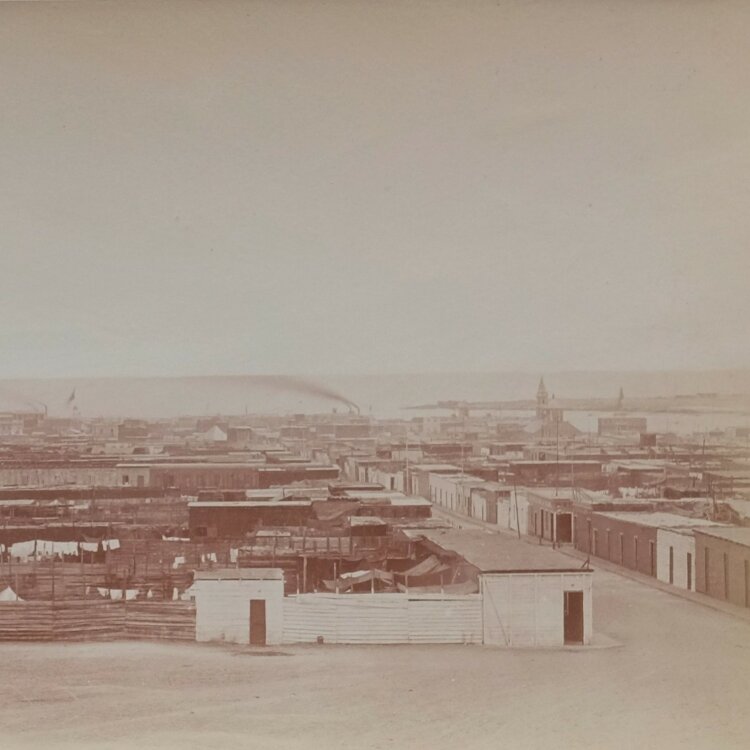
223, 609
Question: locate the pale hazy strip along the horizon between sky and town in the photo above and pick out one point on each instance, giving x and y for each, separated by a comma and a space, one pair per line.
381, 396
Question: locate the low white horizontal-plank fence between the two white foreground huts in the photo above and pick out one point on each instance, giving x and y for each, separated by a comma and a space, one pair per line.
382, 618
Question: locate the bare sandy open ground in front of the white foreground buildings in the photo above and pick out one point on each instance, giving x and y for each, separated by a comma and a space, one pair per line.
668, 673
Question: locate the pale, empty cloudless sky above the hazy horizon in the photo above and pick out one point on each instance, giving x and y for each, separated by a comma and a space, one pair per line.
354, 187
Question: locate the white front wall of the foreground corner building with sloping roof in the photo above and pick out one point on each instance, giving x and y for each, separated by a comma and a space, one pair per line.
527, 609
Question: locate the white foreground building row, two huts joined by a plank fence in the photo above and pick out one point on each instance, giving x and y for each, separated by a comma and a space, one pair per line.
520, 595
